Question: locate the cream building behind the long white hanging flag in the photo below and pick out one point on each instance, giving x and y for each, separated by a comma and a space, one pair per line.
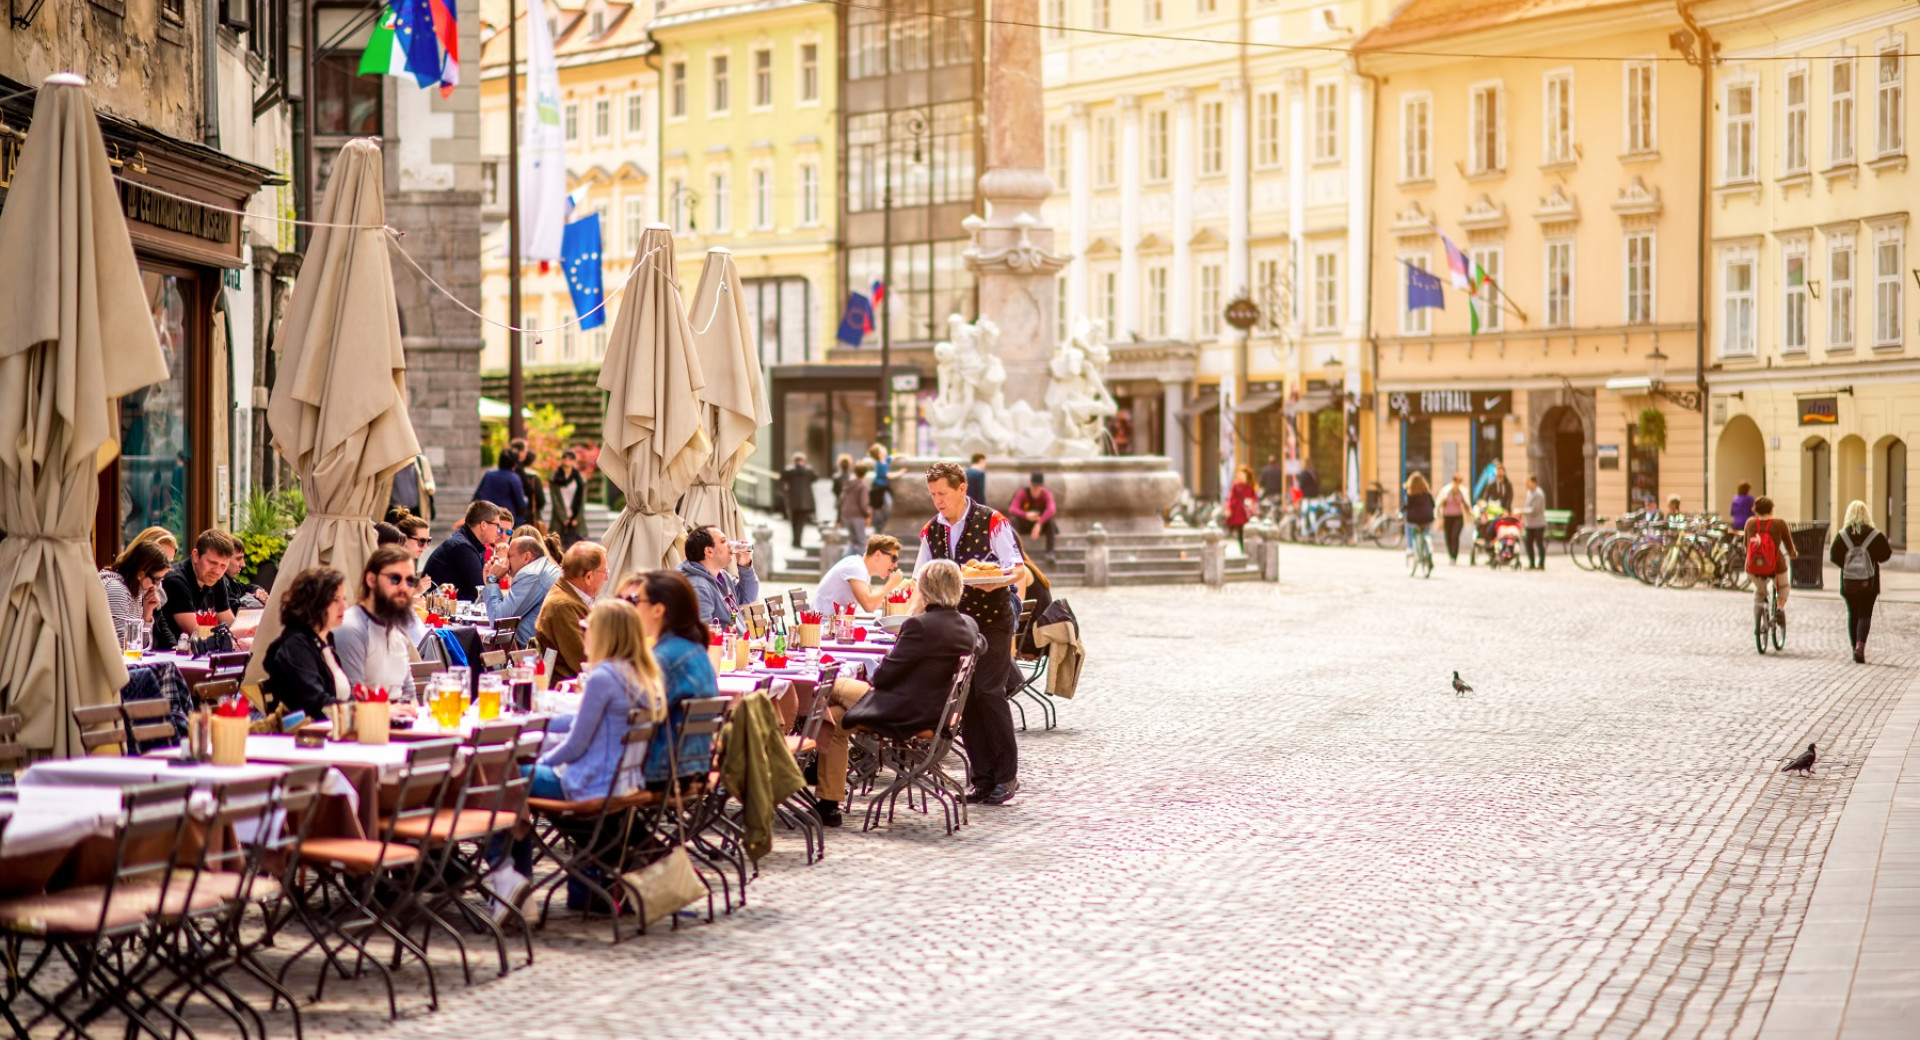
610, 112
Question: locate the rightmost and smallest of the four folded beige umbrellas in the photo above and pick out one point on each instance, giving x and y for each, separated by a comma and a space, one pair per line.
734, 400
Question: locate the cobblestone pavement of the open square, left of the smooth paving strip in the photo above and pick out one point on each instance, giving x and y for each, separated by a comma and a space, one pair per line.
1270, 816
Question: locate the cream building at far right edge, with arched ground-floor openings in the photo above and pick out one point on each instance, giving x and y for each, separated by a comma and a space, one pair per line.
1815, 369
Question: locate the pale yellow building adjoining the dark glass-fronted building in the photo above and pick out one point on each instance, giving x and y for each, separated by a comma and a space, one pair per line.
748, 158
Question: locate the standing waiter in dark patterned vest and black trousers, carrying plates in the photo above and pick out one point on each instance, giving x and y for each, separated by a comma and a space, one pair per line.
967, 531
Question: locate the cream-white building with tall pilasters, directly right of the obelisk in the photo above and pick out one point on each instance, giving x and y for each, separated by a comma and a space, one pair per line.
1191, 174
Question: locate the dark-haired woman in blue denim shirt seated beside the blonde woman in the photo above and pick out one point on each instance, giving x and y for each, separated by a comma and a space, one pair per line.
671, 617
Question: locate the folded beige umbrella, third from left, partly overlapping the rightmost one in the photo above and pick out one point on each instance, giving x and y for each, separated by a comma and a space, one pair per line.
654, 440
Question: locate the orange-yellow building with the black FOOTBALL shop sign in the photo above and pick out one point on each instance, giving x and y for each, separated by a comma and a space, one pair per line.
1573, 185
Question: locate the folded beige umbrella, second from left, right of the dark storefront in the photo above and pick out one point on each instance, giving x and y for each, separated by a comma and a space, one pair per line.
339, 408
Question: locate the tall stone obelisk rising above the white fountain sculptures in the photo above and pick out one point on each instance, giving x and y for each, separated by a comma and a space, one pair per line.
1013, 248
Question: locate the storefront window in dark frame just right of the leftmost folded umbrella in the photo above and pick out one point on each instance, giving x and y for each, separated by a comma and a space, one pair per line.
156, 442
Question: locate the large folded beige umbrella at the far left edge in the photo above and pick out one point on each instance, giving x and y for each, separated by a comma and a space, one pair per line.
78, 335
